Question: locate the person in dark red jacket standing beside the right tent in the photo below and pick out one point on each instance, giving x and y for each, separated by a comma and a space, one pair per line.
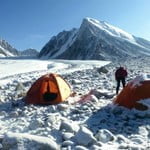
120, 76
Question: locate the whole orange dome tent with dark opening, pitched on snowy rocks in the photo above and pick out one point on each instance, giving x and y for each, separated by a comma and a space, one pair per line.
48, 89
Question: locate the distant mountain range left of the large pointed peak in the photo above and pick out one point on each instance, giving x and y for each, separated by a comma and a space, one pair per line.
6, 50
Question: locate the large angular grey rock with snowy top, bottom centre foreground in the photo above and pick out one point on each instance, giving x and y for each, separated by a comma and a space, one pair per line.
84, 137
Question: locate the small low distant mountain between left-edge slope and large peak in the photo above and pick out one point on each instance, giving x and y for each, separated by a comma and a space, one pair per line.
29, 52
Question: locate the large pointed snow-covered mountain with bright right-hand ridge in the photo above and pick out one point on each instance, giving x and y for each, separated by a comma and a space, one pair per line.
95, 40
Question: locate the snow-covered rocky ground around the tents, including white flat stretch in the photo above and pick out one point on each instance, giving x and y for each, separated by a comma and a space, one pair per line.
86, 121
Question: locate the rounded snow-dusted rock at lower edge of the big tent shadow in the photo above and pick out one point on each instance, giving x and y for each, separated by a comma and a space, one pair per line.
104, 136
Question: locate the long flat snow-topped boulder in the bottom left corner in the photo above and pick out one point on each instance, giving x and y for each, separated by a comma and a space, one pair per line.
24, 141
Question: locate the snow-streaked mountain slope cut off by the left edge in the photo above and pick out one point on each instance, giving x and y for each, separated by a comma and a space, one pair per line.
6, 49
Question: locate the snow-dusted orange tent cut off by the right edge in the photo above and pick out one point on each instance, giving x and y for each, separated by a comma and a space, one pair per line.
133, 93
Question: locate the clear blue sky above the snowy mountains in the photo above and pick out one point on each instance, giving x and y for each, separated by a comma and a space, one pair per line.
31, 23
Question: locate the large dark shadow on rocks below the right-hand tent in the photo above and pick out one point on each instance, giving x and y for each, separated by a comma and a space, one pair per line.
118, 120
